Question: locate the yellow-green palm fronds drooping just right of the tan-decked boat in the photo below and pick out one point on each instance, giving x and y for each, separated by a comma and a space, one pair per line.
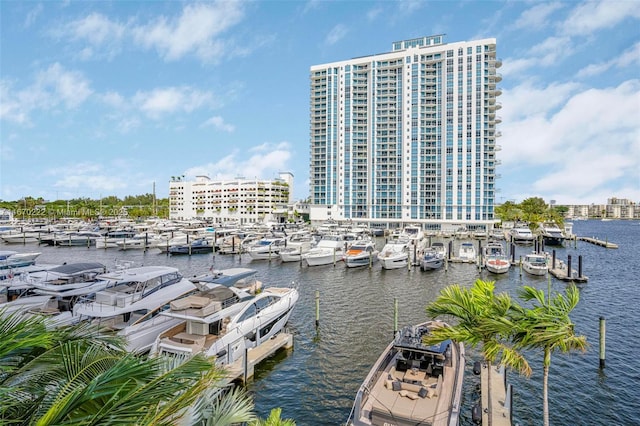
482, 318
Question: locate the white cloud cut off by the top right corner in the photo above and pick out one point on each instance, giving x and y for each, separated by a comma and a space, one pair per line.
591, 16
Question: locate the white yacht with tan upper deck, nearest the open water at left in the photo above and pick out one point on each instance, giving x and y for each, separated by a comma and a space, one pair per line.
223, 320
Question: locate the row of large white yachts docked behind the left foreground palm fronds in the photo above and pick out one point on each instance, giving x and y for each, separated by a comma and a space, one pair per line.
220, 313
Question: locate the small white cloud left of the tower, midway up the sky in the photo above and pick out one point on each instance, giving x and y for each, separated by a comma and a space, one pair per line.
159, 102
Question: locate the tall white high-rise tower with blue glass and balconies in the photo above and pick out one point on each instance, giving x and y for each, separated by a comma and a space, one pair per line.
407, 136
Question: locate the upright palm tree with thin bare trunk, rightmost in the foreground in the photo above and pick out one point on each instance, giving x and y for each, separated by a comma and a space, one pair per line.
547, 326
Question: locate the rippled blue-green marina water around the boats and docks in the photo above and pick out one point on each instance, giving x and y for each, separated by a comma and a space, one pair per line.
316, 382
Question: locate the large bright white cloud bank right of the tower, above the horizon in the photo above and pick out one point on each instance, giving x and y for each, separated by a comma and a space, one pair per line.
584, 141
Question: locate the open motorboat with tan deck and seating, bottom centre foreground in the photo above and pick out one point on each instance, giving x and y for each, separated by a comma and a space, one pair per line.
412, 384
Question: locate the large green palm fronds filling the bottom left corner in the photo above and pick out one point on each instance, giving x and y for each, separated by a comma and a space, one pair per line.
77, 376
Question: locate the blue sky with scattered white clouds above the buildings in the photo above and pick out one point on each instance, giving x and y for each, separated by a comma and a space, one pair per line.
106, 98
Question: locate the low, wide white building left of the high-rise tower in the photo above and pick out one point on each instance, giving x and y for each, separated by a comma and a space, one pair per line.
237, 200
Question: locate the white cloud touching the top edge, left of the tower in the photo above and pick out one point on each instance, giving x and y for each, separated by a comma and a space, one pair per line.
196, 31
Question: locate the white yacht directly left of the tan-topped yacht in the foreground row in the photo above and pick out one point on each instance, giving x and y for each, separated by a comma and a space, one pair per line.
129, 304
